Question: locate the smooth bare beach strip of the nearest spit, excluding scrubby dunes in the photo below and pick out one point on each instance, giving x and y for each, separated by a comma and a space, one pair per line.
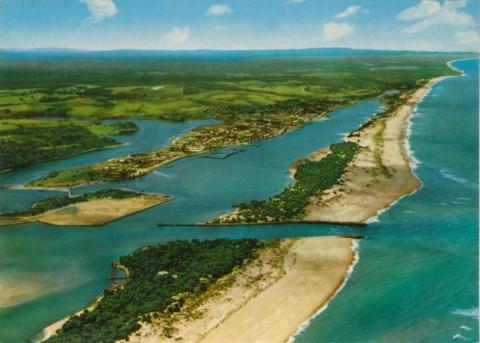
285, 311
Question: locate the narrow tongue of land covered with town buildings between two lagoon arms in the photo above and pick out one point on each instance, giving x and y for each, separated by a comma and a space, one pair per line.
252, 127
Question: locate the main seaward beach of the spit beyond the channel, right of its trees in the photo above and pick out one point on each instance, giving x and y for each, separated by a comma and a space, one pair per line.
368, 188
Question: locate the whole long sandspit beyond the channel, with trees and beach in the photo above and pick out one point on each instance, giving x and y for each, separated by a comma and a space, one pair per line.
350, 182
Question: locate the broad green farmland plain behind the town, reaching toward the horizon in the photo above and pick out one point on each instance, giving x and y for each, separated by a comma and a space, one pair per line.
199, 89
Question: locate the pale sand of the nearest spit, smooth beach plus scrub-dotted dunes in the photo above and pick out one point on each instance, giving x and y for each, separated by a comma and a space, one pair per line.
269, 304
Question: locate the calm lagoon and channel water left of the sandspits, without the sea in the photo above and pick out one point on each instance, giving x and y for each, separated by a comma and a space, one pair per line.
72, 265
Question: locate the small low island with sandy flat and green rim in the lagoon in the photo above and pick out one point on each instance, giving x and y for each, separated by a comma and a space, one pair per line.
89, 209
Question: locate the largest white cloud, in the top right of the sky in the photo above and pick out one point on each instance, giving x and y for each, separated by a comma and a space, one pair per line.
428, 13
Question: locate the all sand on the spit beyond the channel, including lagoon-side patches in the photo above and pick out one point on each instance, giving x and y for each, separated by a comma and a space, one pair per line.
380, 174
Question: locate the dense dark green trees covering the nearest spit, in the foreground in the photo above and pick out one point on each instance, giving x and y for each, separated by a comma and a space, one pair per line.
160, 278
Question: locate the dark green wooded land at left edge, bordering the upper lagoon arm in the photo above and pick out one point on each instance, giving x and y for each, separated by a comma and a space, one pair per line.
28, 141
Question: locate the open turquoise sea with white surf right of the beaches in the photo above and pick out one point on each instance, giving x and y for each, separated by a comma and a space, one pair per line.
418, 272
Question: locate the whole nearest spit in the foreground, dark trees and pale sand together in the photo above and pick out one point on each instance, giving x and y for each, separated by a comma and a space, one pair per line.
284, 282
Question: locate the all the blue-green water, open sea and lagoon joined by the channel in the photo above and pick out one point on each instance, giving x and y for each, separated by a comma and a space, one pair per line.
416, 279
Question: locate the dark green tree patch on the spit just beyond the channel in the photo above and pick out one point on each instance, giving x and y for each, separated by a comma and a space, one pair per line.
312, 178
